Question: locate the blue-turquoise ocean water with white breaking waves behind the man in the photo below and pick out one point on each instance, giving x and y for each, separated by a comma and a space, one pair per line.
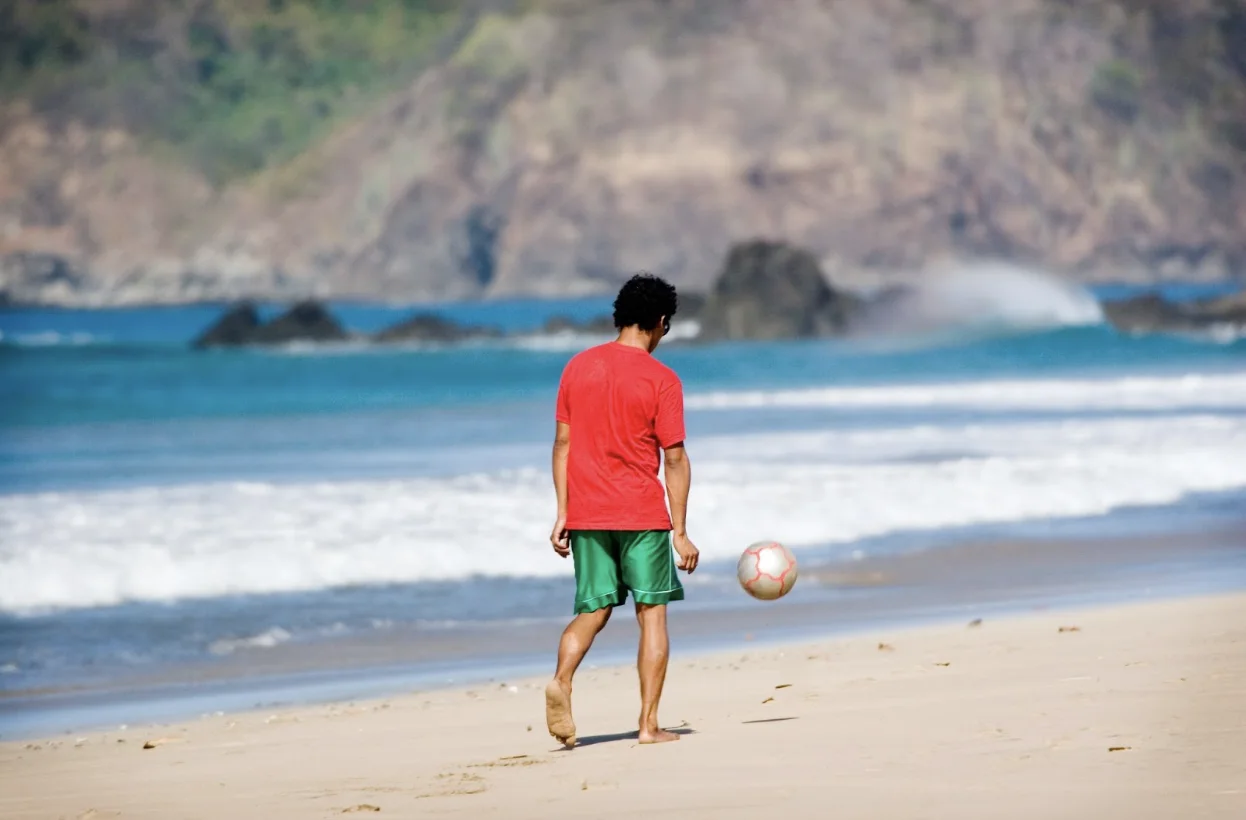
160, 505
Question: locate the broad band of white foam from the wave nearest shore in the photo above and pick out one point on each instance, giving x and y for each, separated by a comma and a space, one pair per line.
159, 544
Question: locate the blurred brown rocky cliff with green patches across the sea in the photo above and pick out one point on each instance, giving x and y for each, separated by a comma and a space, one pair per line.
211, 150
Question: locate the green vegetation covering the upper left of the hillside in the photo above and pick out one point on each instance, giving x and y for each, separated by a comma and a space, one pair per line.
231, 85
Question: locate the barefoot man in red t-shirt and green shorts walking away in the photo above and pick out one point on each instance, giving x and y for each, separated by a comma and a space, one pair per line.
619, 408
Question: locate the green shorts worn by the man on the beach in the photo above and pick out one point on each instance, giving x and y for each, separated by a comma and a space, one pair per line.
611, 563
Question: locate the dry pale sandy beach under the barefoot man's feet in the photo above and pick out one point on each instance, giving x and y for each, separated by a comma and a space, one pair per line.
1126, 711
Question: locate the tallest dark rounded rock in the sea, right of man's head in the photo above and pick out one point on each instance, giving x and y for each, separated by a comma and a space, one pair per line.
772, 291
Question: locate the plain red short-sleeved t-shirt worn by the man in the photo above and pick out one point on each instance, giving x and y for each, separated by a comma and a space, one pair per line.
624, 408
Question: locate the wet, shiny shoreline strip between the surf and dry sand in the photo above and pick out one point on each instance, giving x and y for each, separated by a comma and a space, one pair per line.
989, 579
